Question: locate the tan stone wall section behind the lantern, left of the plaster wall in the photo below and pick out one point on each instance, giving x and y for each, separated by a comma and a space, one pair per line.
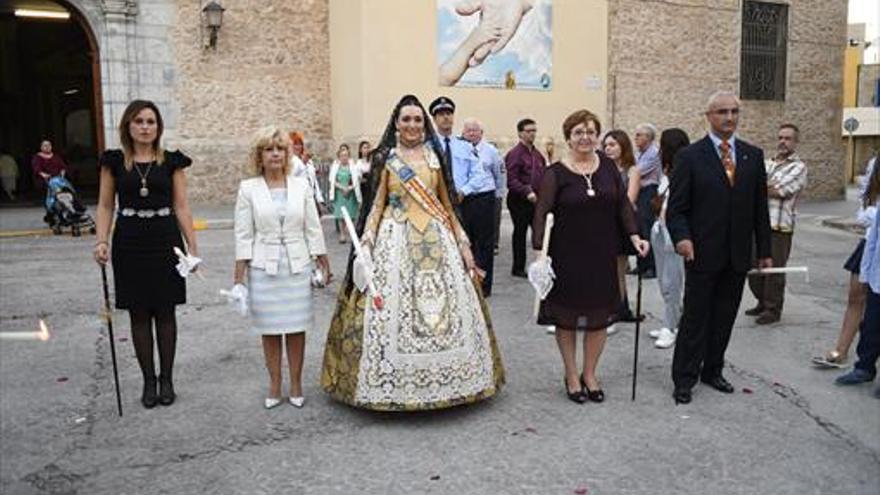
270, 66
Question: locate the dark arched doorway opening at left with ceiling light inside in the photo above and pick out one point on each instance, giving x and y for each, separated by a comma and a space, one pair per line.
49, 89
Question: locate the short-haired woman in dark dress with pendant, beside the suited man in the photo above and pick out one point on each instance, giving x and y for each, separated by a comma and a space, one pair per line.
592, 212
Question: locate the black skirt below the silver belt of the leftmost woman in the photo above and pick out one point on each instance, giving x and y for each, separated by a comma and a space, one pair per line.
144, 272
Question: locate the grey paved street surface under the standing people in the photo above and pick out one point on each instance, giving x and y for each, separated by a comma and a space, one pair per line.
787, 430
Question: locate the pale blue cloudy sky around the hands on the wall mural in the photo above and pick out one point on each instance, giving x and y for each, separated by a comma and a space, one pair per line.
529, 52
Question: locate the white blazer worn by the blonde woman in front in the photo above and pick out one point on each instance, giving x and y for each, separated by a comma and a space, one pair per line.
258, 232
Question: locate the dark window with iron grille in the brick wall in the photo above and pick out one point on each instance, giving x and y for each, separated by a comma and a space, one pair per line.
764, 51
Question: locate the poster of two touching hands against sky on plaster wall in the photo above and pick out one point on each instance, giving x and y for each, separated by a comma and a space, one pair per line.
495, 43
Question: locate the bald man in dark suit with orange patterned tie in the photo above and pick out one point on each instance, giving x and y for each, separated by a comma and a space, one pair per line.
717, 213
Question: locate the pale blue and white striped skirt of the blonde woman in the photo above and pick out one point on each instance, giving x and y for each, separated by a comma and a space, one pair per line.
281, 303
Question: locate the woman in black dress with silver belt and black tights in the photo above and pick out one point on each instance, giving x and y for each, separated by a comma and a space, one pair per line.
152, 213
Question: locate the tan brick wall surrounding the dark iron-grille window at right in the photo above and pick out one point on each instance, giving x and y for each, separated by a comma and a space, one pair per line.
666, 58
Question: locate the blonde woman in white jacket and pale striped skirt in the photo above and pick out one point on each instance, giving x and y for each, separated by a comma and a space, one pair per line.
277, 235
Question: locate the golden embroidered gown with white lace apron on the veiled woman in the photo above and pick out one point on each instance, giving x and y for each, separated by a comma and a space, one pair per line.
431, 346
